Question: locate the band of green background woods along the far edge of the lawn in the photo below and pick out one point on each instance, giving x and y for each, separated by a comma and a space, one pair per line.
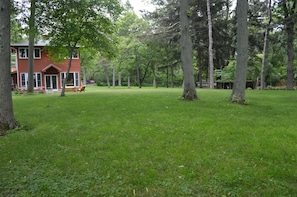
149, 51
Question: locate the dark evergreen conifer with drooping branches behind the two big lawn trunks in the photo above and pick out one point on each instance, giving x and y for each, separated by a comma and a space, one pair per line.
167, 21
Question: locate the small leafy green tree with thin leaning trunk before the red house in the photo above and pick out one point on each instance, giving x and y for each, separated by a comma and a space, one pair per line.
87, 23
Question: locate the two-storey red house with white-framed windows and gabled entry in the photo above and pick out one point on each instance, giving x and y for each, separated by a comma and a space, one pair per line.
48, 75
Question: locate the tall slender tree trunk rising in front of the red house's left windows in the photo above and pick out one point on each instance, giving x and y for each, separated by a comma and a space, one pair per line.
30, 87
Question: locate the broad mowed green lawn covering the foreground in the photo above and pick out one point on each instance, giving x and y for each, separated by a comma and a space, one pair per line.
147, 142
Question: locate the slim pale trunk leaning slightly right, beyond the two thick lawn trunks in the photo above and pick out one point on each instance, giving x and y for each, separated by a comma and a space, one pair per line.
265, 50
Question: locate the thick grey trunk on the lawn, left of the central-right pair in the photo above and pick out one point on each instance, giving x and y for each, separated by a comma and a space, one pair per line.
189, 92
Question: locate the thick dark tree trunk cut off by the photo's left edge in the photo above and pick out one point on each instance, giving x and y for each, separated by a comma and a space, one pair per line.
7, 120
